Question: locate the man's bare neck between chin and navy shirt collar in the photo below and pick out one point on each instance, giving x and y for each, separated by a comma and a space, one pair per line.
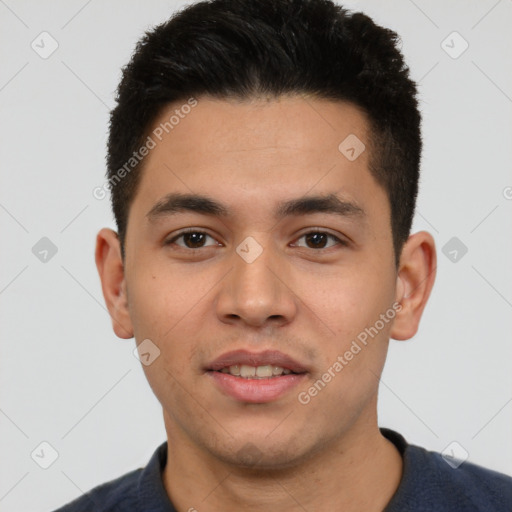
361, 471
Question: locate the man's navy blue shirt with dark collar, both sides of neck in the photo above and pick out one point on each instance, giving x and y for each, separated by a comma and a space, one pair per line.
428, 484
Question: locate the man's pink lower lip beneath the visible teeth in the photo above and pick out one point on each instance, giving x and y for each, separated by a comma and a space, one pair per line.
255, 391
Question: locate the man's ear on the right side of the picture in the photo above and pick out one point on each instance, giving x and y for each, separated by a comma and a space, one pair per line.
415, 279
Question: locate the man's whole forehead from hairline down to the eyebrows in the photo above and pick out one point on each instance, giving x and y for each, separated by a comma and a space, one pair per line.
243, 152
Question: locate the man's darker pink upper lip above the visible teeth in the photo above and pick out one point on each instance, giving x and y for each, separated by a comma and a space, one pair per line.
267, 357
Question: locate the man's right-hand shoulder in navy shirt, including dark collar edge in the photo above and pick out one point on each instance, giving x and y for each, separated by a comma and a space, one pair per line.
431, 482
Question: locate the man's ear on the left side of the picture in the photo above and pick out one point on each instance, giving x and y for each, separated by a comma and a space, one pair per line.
111, 270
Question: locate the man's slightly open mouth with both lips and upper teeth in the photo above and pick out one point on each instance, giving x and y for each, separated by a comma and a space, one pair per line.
256, 377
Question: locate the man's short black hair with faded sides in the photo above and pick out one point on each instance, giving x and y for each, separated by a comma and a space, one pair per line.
249, 48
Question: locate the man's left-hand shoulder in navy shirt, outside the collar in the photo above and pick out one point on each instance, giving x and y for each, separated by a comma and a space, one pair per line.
113, 496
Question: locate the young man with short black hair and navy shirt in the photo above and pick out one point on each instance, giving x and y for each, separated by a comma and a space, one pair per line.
263, 162
